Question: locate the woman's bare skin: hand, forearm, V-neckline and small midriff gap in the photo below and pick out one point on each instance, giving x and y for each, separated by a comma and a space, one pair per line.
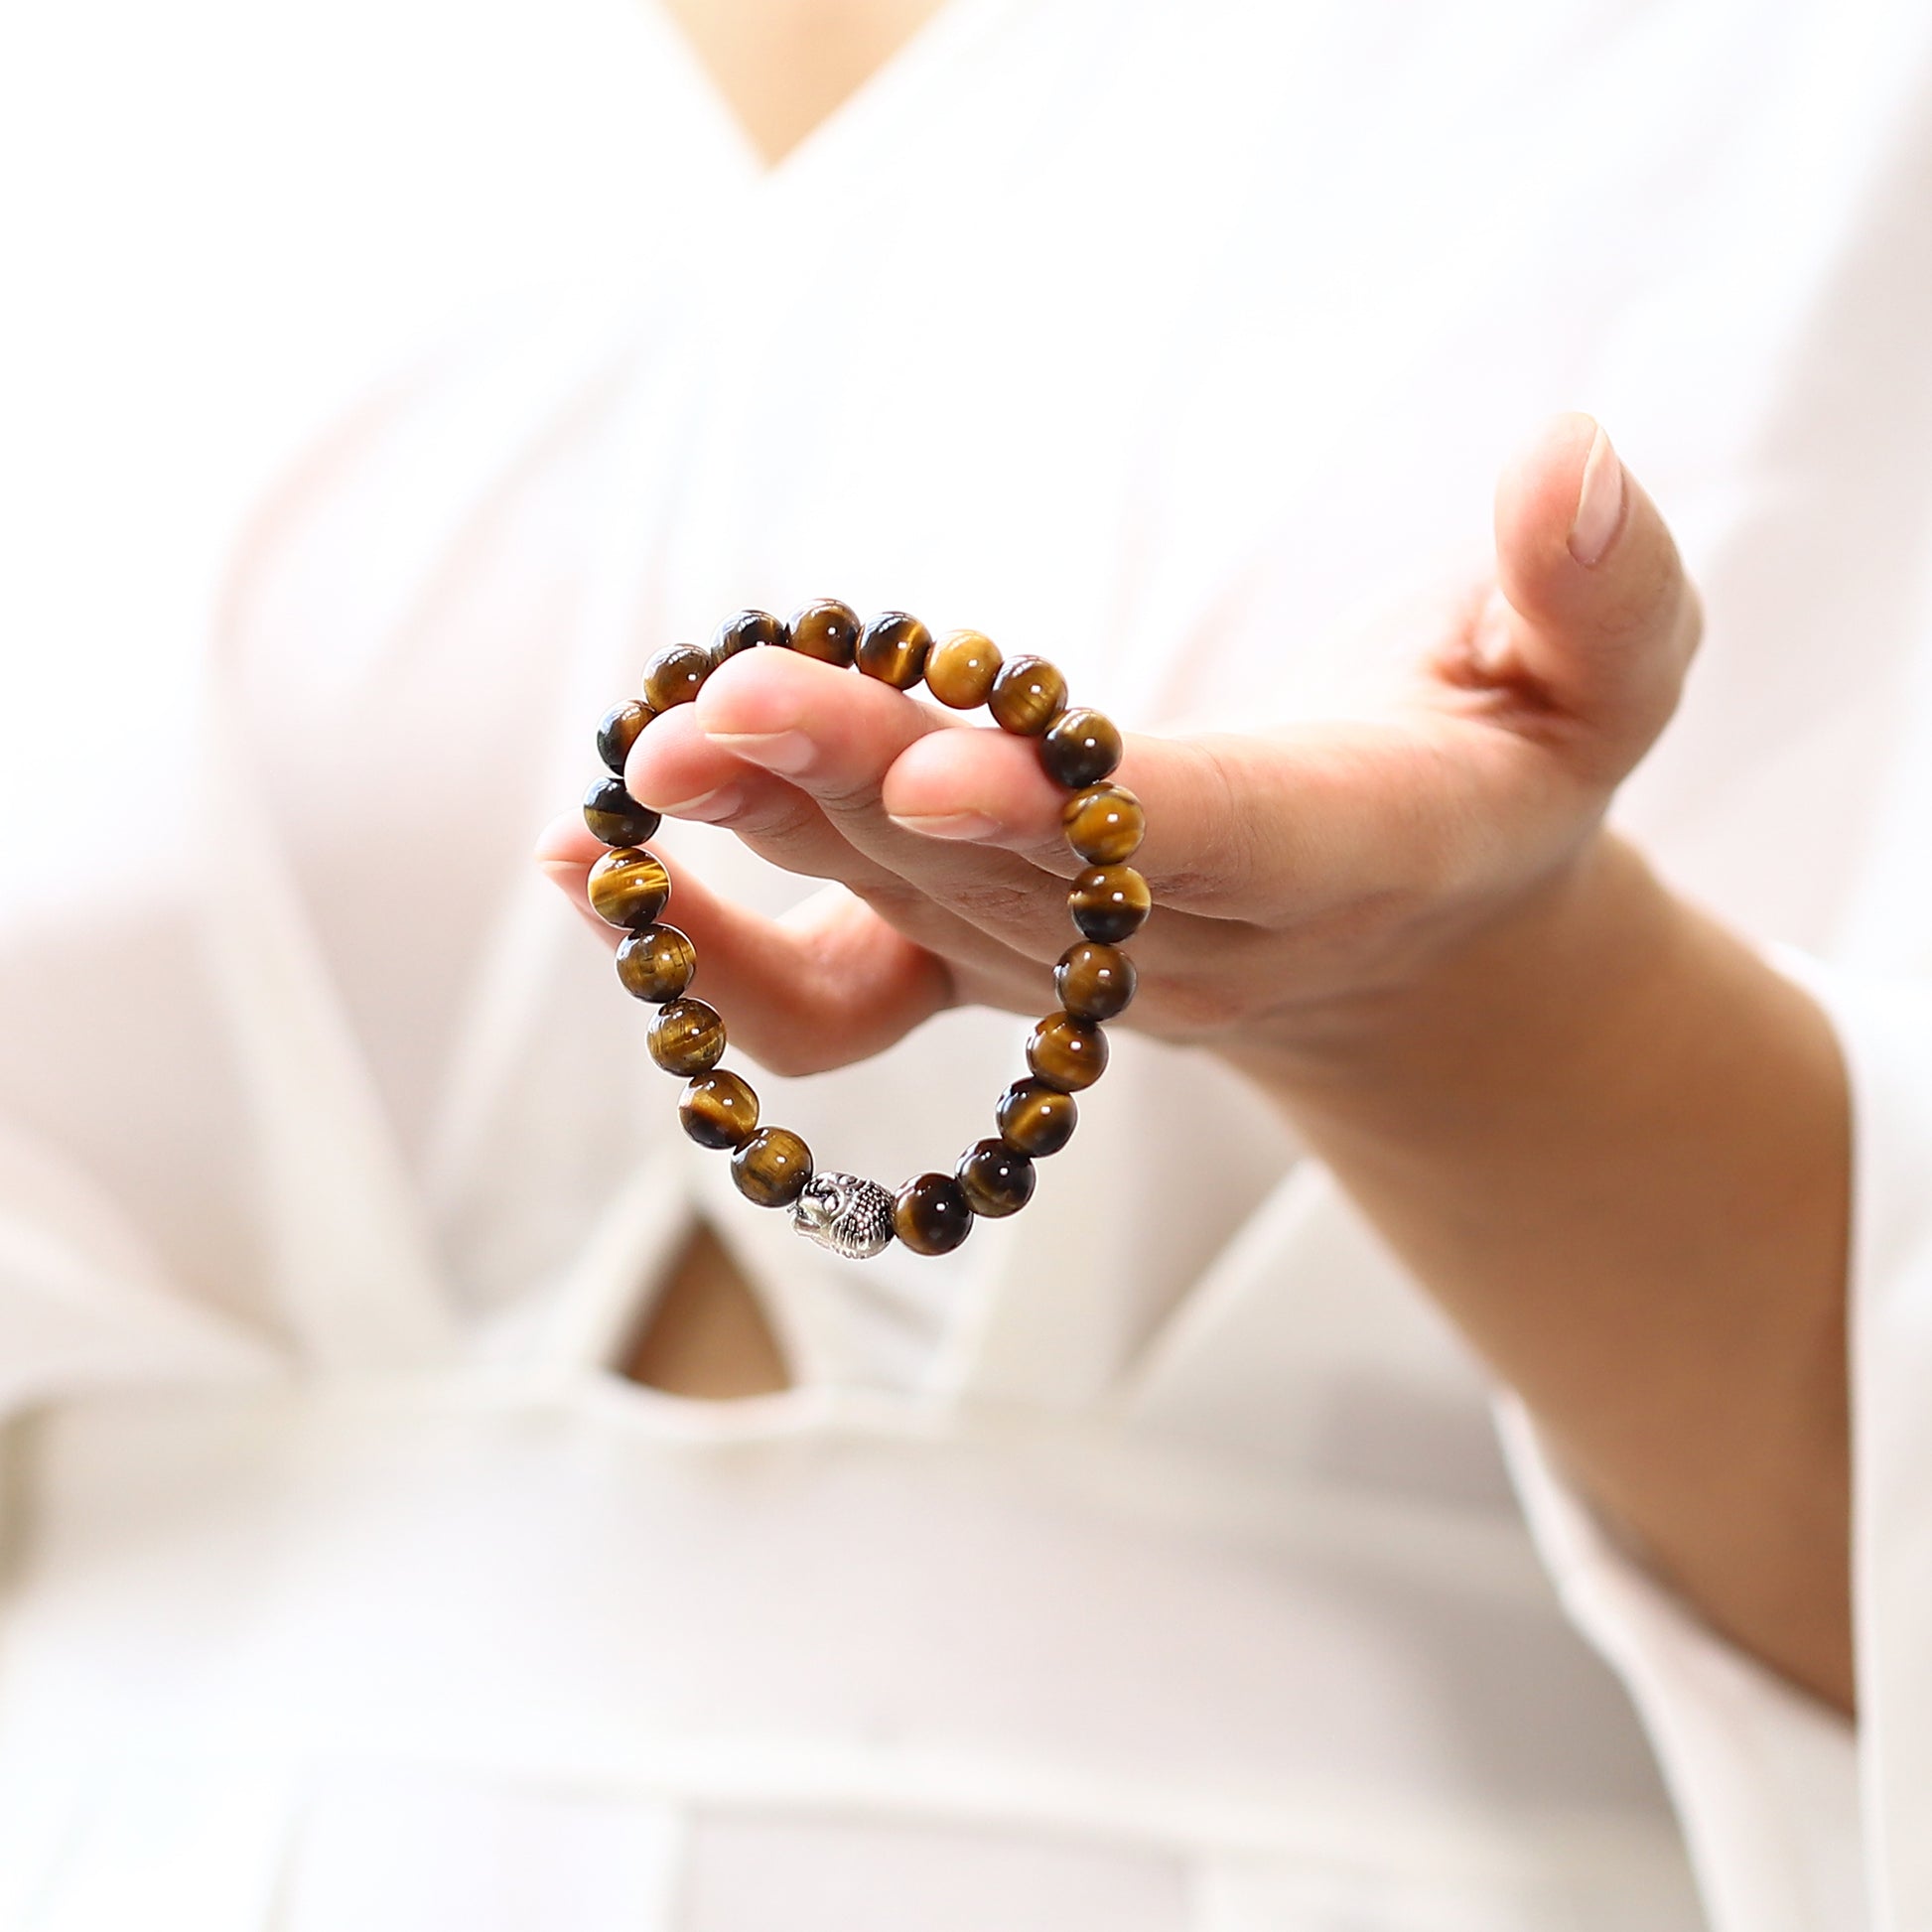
1603, 1133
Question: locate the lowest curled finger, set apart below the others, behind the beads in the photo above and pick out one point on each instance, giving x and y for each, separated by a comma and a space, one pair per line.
826, 986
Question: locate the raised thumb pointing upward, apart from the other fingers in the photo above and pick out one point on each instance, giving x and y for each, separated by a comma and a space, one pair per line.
1595, 611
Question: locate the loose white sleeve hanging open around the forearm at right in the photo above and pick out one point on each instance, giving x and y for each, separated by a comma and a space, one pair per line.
1798, 1821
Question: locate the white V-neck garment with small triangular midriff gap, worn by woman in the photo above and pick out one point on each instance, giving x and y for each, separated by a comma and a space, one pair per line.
1149, 1564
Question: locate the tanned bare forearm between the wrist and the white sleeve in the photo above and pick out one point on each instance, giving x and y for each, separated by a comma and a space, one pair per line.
1616, 1147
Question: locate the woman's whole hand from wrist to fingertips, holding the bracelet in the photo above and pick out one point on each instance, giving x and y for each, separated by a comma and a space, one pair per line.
1313, 884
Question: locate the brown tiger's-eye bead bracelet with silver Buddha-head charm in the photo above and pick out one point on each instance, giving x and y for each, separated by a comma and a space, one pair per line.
1067, 1050
